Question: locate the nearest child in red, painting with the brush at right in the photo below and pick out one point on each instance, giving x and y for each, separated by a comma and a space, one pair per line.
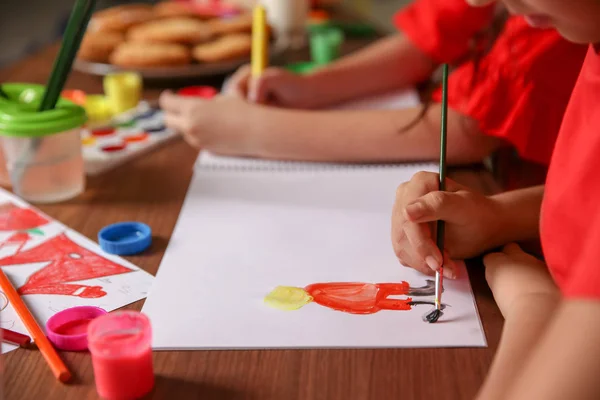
550, 346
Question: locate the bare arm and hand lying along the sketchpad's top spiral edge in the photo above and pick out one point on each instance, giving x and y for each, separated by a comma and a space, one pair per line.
229, 125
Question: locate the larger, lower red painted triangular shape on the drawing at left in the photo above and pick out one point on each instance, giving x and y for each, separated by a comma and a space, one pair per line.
67, 262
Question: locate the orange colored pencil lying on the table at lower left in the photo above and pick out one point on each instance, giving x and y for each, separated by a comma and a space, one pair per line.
59, 369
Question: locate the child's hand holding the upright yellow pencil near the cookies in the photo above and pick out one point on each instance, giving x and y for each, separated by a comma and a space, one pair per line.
275, 86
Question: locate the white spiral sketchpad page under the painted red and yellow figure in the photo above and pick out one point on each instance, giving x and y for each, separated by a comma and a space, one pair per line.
241, 234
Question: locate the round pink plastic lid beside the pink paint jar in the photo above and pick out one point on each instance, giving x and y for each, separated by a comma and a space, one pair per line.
67, 329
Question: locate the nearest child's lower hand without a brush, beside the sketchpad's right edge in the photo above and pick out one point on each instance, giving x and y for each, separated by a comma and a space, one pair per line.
514, 276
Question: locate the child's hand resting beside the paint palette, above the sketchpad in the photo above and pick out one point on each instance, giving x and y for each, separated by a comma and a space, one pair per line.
217, 124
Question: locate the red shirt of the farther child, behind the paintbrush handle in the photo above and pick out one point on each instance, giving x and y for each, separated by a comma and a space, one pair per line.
523, 84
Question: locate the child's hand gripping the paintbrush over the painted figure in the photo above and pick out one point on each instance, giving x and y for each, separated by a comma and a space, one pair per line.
471, 222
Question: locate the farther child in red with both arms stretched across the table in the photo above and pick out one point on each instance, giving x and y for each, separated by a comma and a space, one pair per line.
490, 98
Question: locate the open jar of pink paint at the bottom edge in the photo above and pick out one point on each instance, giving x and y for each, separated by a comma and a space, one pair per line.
121, 347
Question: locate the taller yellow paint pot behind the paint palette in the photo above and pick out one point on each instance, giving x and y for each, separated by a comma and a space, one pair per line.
123, 91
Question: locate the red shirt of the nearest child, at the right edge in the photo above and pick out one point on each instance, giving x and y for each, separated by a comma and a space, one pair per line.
570, 226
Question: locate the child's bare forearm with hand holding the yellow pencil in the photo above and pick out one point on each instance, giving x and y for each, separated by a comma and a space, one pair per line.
388, 64
